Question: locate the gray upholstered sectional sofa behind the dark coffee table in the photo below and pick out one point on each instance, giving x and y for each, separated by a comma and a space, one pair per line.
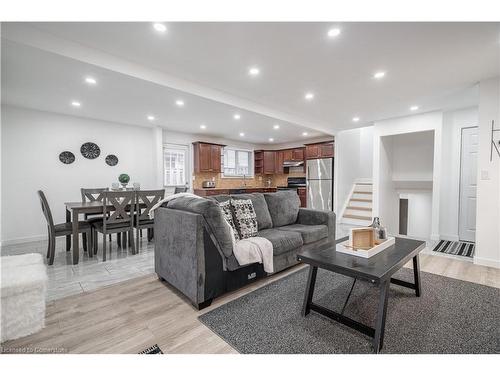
193, 244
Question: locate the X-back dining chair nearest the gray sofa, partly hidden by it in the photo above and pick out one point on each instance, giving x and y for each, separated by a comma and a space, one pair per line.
145, 200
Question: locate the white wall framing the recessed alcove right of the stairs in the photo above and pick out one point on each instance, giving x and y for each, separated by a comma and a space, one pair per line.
385, 204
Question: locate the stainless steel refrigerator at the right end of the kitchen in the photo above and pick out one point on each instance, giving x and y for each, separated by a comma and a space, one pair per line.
320, 184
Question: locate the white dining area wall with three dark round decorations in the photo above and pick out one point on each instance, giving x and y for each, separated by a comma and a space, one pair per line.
31, 143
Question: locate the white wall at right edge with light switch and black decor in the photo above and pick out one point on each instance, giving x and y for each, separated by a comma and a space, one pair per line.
488, 187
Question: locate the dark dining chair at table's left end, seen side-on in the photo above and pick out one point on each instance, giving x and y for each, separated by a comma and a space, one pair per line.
63, 229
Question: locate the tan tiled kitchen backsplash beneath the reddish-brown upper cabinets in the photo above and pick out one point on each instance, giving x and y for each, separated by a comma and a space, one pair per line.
230, 183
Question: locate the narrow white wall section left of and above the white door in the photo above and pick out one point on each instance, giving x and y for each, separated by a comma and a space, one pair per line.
453, 122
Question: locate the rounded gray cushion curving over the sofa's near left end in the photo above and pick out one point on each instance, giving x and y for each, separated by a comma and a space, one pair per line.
212, 213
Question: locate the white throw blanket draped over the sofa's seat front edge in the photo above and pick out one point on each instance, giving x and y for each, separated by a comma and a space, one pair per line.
255, 250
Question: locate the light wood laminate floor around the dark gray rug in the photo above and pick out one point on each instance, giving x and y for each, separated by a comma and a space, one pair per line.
130, 316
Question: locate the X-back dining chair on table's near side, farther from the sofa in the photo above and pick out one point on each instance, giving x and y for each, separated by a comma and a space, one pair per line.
117, 217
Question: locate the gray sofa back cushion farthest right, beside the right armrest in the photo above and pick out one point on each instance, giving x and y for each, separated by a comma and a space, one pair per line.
283, 207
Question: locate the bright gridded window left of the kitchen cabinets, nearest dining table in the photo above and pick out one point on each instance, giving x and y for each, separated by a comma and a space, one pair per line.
175, 164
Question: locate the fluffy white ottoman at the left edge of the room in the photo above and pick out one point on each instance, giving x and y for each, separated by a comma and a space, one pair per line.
23, 289
